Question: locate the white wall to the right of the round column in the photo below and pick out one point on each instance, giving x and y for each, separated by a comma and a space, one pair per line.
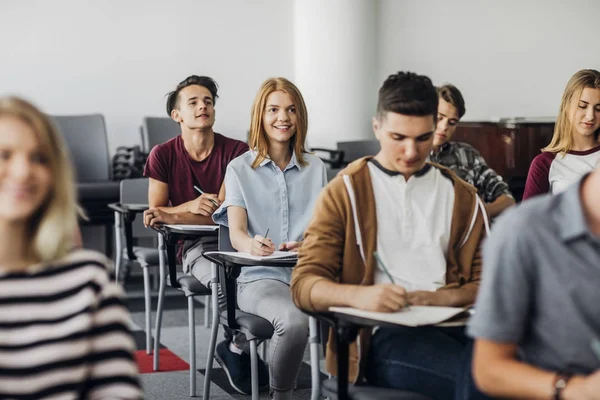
509, 58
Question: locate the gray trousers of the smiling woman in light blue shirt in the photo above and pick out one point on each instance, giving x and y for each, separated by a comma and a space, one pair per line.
272, 300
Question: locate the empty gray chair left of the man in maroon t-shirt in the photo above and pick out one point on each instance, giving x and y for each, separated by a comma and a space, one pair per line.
129, 228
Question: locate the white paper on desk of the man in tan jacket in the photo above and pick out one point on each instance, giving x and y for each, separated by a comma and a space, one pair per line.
409, 316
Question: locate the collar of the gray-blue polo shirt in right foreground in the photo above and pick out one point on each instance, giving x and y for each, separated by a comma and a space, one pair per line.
570, 215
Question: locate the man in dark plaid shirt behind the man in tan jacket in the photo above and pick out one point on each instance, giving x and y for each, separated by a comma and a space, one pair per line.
462, 158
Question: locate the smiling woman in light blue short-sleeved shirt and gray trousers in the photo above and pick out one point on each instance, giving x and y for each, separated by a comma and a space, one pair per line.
273, 187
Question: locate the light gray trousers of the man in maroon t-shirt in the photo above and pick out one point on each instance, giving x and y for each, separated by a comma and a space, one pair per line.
200, 268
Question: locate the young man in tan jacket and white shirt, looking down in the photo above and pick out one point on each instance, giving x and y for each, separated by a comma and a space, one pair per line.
426, 226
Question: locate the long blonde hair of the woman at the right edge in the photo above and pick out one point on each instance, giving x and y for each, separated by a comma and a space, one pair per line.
562, 139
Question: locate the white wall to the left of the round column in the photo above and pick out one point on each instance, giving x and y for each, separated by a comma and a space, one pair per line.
120, 58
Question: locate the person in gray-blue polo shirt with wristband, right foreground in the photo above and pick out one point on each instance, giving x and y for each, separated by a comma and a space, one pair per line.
537, 311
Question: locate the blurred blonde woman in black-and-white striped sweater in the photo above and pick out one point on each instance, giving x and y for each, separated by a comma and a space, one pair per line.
63, 327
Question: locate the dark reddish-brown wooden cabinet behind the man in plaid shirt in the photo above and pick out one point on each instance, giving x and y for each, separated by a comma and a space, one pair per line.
508, 146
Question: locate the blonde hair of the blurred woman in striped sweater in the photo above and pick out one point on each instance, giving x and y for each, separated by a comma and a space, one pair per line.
53, 227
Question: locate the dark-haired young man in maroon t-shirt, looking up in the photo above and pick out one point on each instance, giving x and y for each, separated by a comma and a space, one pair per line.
198, 157
